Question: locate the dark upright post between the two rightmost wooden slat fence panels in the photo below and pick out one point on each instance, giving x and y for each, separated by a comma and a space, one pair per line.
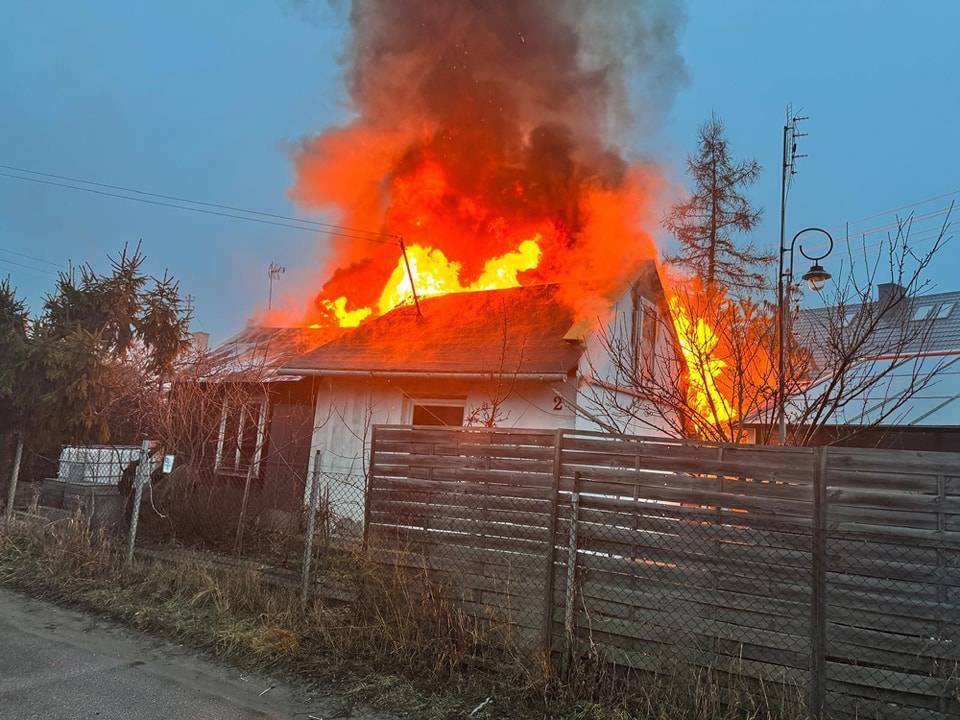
818, 613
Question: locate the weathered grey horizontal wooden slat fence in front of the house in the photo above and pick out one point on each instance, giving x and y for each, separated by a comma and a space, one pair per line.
833, 571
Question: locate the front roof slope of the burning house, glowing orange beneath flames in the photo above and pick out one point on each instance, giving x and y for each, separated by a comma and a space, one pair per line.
519, 330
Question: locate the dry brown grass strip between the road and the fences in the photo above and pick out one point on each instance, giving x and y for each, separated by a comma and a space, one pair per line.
401, 646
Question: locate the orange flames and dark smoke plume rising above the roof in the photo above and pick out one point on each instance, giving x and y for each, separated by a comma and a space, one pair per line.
486, 135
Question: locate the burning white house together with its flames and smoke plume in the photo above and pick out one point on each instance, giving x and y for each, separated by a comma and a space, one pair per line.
488, 223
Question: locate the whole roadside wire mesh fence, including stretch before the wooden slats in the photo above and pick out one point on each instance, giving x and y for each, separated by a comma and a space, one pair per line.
830, 575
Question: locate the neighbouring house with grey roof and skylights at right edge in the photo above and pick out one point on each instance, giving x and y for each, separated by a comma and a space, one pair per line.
913, 398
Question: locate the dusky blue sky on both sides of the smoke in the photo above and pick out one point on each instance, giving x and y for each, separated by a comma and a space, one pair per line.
207, 100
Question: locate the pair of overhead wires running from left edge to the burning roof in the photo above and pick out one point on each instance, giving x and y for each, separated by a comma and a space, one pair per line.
303, 225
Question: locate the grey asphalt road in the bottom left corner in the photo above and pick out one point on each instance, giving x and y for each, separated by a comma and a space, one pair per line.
57, 663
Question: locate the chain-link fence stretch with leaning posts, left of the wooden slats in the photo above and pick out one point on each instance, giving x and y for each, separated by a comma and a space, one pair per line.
129, 492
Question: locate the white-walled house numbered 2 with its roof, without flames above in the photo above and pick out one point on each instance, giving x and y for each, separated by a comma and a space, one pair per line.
512, 358
